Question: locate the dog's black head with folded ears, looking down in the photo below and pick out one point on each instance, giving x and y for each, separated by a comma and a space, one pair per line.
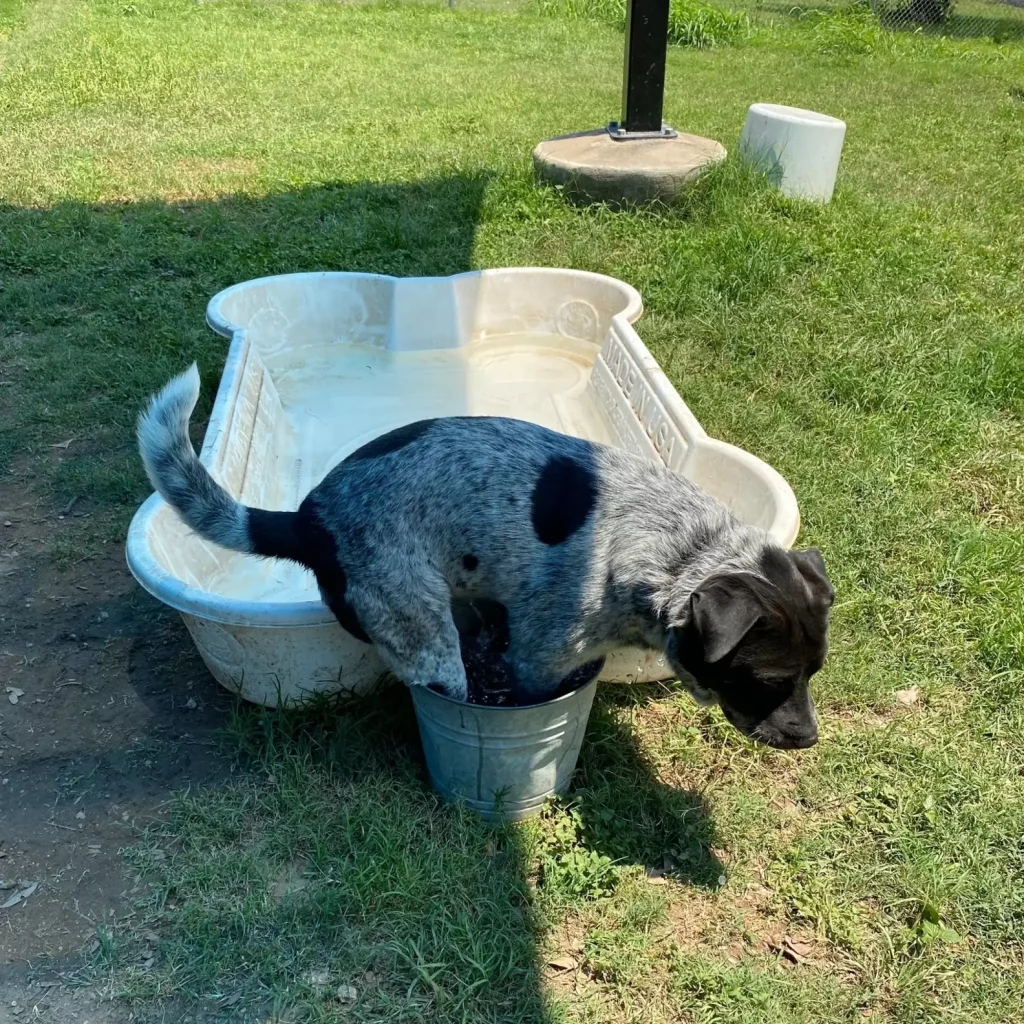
751, 643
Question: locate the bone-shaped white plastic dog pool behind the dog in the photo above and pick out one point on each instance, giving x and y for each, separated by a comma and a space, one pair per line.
320, 364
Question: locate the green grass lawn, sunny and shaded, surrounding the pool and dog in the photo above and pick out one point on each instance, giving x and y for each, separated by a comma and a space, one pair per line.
155, 152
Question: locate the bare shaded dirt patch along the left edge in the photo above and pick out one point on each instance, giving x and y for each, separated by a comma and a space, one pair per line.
105, 711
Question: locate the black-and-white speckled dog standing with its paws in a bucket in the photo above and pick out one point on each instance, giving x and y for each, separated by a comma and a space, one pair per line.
588, 548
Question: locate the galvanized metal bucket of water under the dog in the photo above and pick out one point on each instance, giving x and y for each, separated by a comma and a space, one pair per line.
502, 762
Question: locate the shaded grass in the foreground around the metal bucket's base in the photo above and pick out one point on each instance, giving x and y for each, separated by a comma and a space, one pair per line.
327, 876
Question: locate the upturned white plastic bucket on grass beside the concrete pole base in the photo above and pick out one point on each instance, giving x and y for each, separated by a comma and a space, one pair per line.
799, 150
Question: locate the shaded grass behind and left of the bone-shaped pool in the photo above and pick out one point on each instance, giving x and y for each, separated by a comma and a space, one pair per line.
103, 304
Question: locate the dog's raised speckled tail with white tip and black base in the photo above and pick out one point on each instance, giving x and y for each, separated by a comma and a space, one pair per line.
177, 473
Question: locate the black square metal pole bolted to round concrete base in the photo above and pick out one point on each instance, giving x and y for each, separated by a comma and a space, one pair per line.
644, 77
